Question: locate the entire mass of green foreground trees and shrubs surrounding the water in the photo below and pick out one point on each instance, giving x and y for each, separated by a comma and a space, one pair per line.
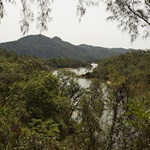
39, 111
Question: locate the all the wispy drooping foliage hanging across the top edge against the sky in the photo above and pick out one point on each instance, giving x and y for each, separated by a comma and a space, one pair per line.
132, 15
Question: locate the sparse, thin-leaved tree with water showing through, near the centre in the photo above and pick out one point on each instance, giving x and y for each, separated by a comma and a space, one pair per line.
70, 88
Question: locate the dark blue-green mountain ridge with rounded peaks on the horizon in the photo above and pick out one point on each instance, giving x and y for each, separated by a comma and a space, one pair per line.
45, 47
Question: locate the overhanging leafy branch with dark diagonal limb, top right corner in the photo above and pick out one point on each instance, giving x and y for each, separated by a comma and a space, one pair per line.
132, 15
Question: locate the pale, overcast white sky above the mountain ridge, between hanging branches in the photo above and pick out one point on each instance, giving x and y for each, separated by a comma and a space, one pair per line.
93, 29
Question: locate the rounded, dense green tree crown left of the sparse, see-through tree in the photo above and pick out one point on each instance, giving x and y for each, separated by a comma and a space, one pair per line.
39, 94
